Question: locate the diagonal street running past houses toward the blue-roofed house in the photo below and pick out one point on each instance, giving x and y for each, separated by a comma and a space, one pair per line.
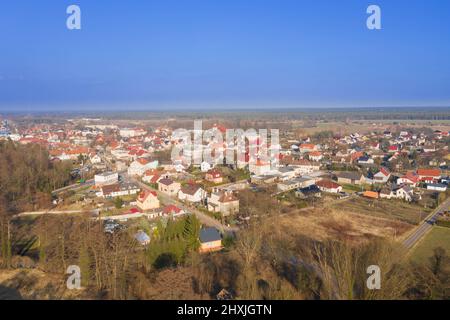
204, 218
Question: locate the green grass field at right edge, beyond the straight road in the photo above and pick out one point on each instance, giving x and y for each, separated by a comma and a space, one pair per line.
437, 237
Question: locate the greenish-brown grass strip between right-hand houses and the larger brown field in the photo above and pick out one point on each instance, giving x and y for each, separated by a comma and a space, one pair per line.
383, 208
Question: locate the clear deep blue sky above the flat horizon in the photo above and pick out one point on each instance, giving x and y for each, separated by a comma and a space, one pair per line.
222, 54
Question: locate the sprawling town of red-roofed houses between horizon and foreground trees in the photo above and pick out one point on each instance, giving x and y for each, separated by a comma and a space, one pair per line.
361, 181
